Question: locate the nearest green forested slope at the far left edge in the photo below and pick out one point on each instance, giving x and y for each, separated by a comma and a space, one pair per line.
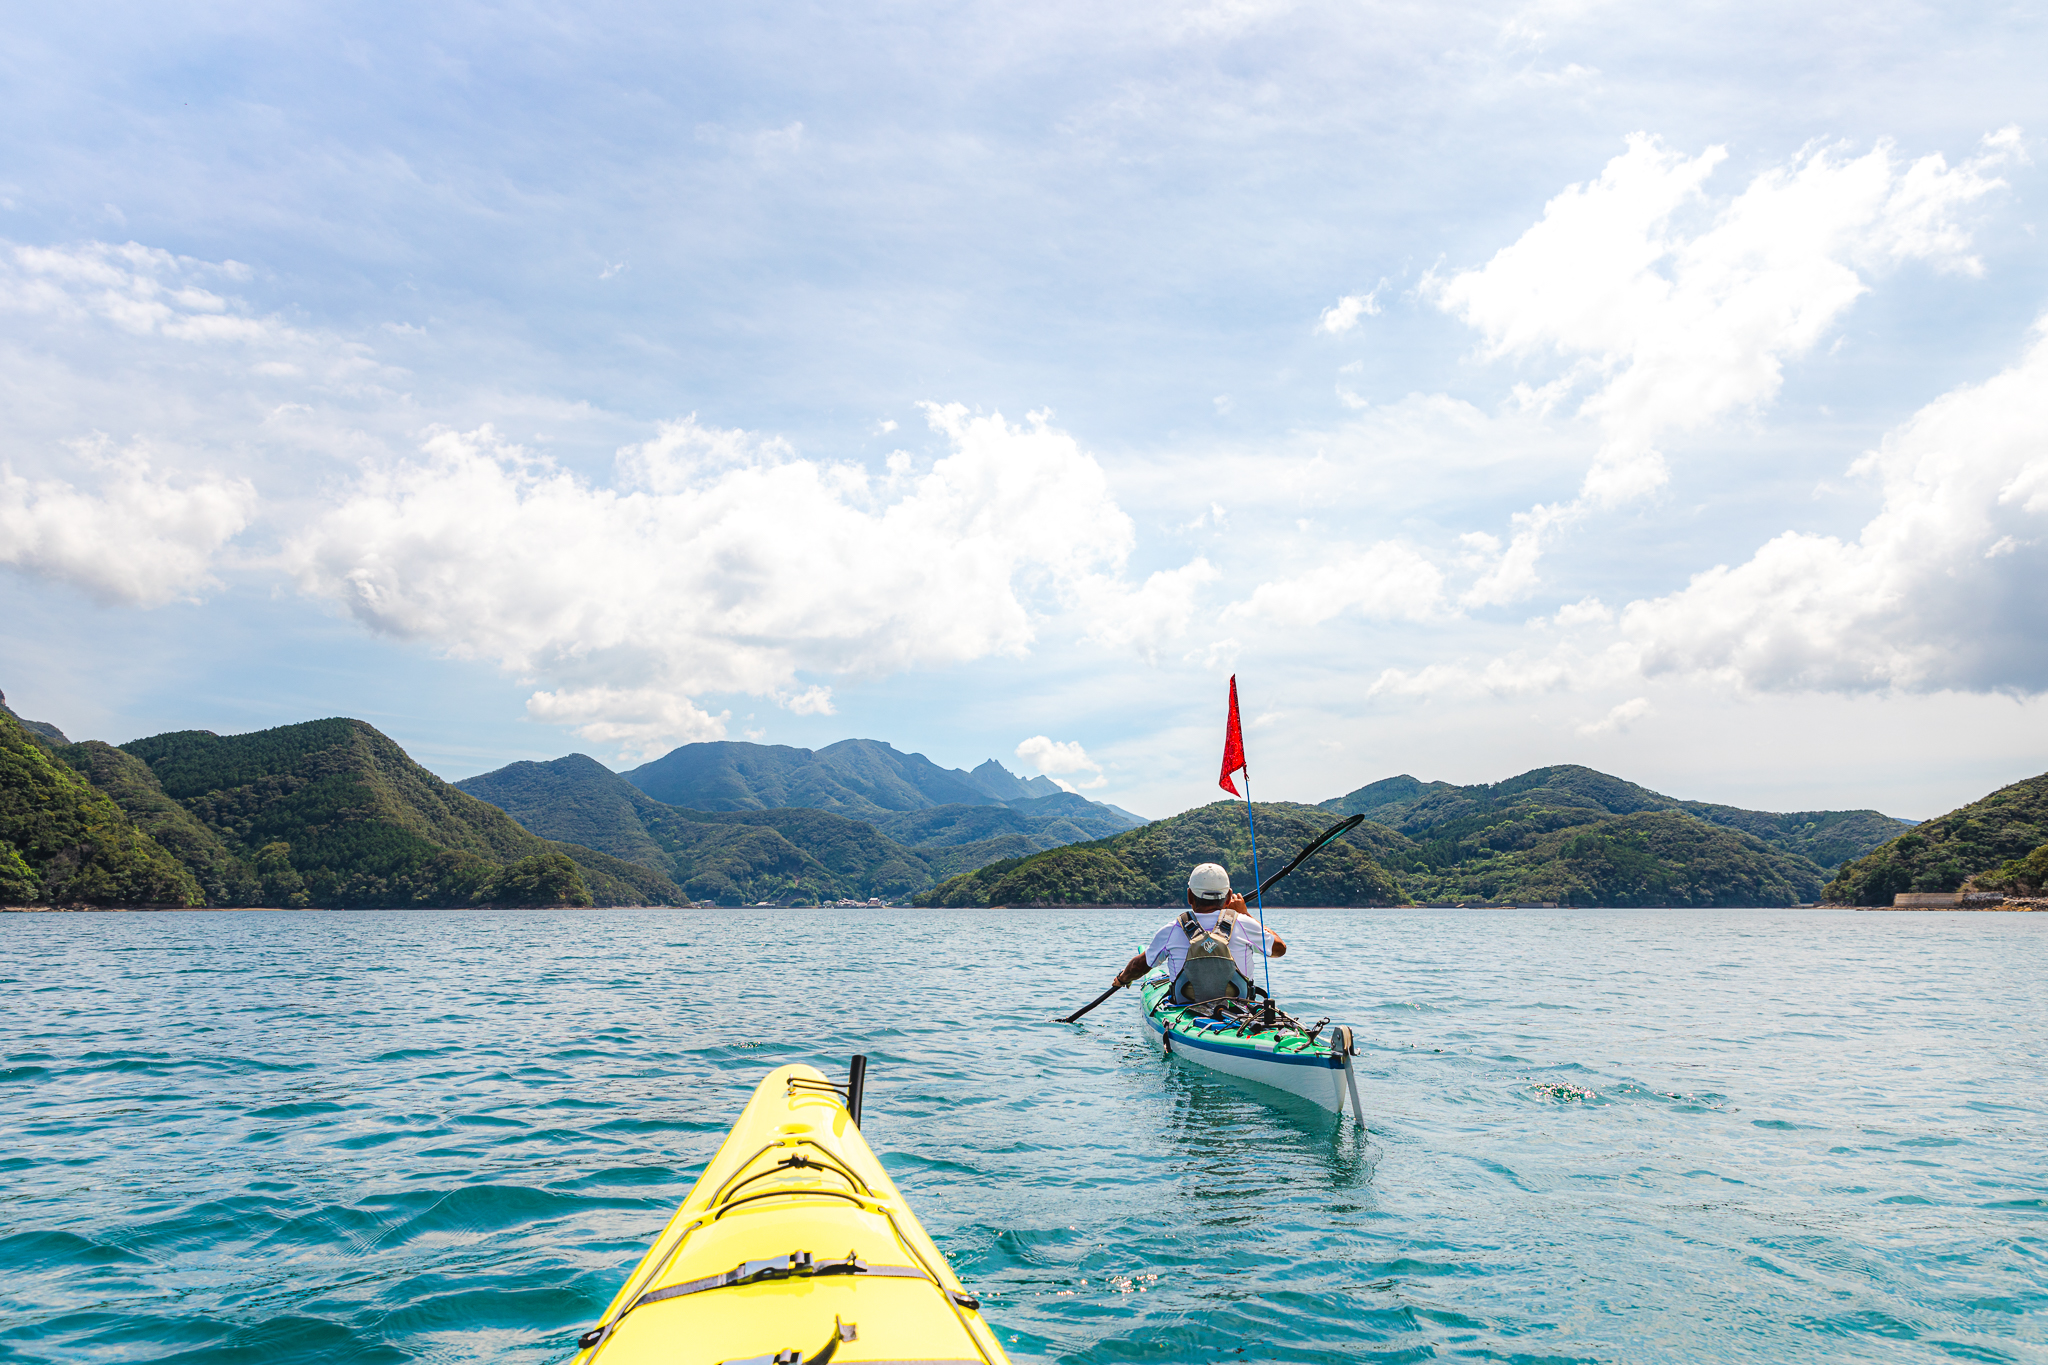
65, 842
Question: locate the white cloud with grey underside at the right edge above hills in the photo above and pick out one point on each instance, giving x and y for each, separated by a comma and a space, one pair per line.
1940, 590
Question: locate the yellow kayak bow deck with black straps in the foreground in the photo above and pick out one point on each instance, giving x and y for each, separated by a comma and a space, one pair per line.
794, 1249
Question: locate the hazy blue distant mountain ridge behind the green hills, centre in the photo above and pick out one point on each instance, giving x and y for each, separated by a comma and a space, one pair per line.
861, 779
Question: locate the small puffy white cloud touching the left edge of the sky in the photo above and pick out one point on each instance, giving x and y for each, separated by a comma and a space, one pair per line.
136, 537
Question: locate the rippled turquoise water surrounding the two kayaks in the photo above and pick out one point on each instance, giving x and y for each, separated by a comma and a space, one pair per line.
445, 1137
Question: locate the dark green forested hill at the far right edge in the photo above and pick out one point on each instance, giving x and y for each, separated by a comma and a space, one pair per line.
1977, 840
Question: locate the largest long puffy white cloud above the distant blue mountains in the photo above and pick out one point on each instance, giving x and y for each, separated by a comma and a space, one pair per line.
722, 562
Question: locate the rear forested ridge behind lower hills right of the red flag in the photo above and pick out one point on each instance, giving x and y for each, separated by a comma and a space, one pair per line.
1424, 811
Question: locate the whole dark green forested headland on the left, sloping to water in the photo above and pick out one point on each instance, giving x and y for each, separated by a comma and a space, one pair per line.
327, 813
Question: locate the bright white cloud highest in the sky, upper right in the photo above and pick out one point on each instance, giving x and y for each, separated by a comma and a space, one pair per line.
1676, 331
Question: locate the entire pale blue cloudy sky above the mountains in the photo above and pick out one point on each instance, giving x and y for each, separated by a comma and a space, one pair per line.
1494, 386
